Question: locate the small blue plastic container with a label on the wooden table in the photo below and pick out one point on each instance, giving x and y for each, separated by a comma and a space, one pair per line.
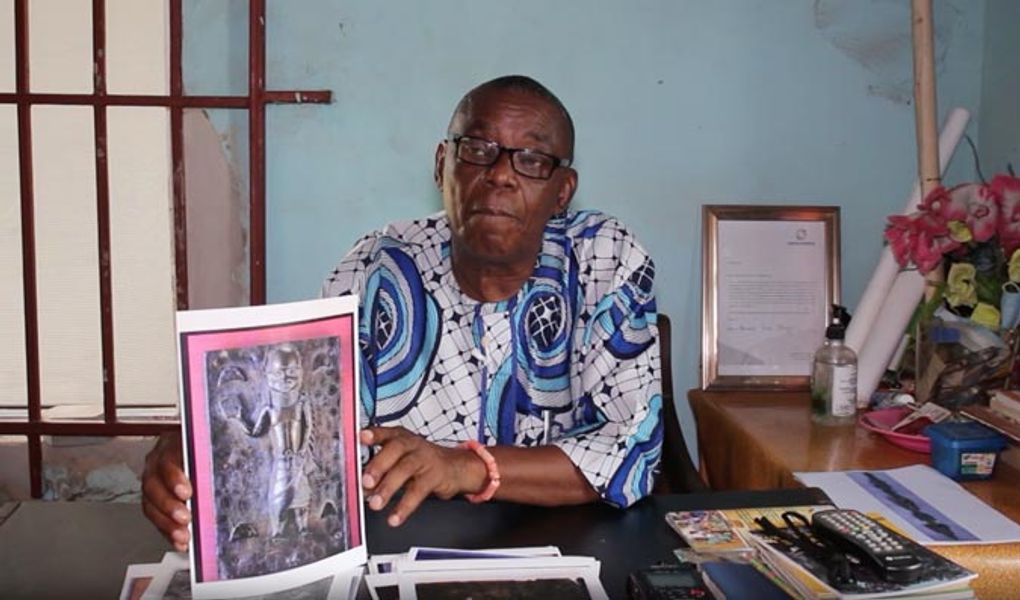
964, 451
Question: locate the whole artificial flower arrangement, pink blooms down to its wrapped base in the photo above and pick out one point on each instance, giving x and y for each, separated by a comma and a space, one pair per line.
973, 231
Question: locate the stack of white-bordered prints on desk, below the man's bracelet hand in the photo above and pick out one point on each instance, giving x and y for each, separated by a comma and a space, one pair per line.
440, 574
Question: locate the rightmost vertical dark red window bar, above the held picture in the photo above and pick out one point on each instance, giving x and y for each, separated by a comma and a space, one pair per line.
257, 142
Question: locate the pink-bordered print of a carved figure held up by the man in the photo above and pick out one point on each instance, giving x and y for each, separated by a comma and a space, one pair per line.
270, 420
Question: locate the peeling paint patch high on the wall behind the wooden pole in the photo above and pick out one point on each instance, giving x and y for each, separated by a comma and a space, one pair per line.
877, 34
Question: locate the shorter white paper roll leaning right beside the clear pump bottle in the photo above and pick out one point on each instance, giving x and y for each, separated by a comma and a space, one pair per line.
908, 288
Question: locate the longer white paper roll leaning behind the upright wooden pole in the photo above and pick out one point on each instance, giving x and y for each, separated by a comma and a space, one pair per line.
882, 281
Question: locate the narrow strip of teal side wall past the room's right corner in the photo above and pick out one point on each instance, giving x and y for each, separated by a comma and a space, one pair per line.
1000, 127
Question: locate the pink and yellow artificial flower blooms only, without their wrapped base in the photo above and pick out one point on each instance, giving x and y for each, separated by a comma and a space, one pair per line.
974, 230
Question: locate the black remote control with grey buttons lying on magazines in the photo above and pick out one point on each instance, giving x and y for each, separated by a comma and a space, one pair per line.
893, 555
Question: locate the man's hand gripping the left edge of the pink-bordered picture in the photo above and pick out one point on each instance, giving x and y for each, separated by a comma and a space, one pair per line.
166, 489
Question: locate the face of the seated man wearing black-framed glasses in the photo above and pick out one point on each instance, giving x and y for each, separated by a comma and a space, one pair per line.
498, 216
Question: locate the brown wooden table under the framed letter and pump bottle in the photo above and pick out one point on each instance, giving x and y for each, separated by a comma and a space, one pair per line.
757, 440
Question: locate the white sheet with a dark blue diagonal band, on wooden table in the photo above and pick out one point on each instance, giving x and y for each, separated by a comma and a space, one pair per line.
928, 507
